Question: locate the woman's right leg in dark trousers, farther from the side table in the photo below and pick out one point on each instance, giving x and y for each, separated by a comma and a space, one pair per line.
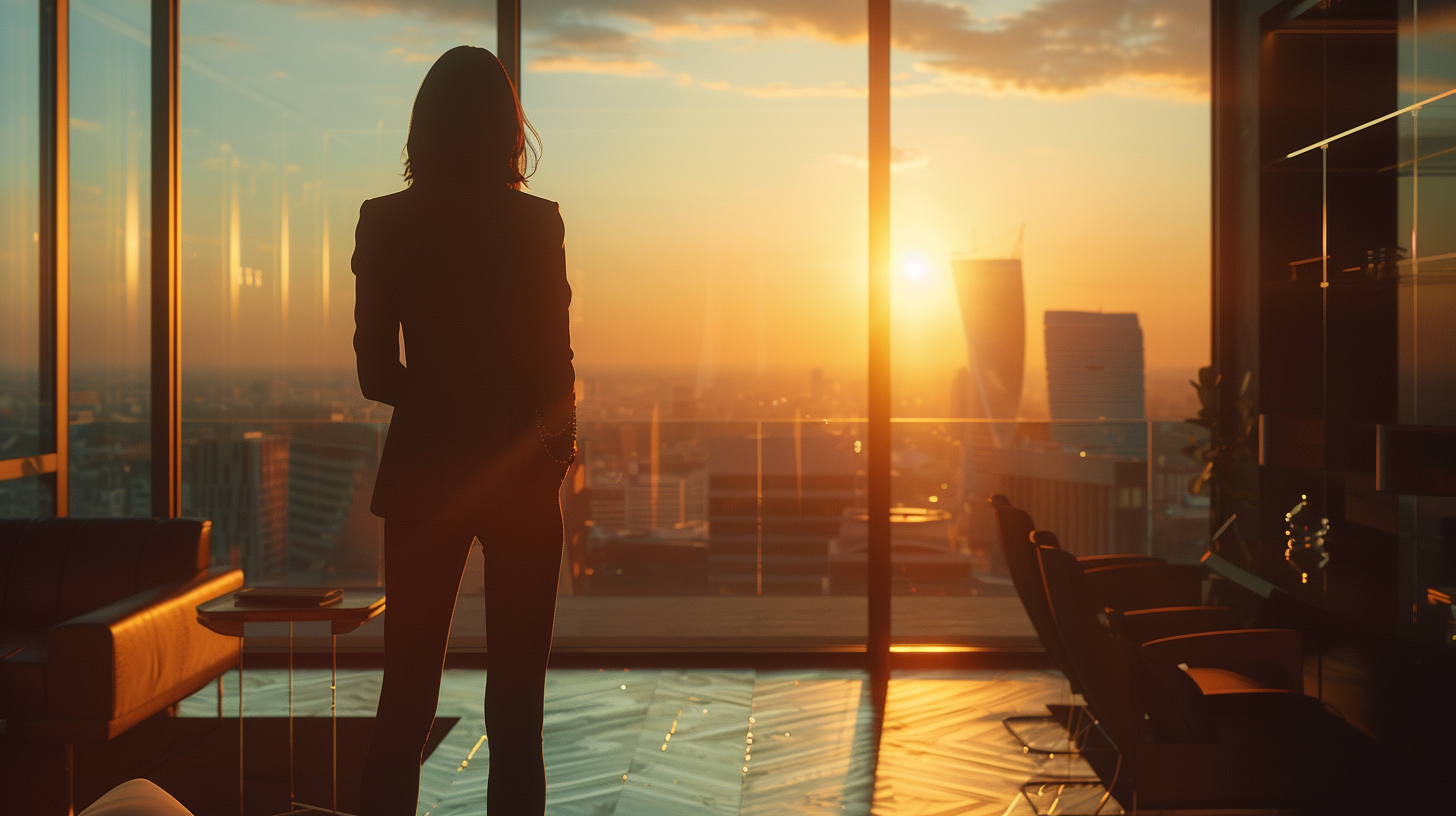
523, 541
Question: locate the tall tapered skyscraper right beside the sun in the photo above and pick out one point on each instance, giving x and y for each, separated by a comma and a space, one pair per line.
994, 310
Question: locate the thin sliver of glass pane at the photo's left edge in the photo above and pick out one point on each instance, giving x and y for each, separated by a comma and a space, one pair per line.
21, 420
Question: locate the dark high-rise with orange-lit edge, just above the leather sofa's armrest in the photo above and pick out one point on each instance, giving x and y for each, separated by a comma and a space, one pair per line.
241, 483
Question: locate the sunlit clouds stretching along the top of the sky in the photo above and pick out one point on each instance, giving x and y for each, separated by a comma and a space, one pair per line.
1053, 49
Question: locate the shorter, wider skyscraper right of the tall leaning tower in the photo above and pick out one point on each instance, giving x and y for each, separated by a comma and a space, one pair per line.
1096, 372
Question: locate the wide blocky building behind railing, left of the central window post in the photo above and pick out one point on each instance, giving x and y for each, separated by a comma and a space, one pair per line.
774, 505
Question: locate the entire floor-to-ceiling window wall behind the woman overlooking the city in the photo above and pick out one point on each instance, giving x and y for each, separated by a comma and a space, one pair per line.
1049, 298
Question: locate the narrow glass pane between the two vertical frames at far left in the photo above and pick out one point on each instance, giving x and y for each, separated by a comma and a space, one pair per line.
111, 193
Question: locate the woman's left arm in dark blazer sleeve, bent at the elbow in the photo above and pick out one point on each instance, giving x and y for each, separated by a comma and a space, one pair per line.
376, 317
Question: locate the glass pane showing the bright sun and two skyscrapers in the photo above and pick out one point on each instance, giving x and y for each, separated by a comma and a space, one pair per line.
1051, 248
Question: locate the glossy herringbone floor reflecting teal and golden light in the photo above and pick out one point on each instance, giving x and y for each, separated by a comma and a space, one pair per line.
726, 742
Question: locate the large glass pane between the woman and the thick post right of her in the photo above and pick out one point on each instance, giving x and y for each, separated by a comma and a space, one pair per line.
713, 181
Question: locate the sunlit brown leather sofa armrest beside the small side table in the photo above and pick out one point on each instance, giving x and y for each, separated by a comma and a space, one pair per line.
114, 661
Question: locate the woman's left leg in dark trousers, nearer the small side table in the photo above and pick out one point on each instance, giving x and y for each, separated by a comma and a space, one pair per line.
423, 566
